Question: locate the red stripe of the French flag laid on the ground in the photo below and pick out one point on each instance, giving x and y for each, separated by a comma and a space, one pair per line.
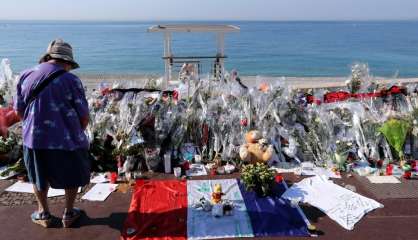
158, 211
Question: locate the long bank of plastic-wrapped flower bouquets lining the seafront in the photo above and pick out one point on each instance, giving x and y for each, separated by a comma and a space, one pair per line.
134, 128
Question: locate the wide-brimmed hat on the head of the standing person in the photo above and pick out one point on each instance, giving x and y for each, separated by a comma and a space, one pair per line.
58, 49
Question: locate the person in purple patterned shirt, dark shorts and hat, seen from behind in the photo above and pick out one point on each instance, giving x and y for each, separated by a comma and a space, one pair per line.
52, 103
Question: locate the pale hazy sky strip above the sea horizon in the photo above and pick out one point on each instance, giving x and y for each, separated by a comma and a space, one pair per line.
209, 9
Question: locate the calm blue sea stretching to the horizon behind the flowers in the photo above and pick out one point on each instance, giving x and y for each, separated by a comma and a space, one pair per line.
294, 49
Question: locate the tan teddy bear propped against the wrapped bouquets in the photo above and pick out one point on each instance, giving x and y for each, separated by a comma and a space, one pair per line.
256, 149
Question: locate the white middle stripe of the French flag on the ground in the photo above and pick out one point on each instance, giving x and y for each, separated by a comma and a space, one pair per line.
202, 225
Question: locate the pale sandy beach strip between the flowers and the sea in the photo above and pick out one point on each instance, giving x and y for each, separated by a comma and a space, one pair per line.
92, 81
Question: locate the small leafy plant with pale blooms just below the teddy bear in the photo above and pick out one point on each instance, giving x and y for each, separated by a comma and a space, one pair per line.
258, 178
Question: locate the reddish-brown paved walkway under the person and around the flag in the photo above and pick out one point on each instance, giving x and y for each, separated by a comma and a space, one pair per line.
397, 220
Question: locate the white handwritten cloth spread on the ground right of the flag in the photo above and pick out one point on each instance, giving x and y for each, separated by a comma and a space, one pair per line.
340, 204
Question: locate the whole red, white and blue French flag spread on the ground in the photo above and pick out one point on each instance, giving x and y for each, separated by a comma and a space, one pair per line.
163, 209
